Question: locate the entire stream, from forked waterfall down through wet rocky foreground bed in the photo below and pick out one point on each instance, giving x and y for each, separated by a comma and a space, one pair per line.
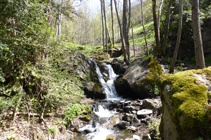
105, 122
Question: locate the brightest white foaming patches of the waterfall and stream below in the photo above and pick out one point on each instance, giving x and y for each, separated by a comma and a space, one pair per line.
99, 131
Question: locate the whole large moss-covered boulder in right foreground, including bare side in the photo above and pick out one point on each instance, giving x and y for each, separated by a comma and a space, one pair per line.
186, 111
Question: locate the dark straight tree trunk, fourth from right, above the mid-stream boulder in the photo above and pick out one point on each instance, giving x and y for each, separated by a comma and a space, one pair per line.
157, 34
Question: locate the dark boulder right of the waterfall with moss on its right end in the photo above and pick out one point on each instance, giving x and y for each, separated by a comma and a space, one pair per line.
138, 80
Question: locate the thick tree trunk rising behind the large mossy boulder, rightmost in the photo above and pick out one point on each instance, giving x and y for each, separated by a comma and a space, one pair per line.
199, 53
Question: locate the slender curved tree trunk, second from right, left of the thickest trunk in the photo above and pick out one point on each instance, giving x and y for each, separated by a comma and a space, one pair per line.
178, 38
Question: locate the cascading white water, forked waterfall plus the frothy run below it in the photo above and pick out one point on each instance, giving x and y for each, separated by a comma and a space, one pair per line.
97, 129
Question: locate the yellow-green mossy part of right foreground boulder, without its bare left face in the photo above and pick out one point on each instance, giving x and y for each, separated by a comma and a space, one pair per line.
189, 100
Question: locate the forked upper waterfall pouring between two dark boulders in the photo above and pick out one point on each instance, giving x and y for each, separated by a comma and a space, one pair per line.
108, 86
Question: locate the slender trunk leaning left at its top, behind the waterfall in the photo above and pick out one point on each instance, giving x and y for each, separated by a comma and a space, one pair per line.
120, 30
